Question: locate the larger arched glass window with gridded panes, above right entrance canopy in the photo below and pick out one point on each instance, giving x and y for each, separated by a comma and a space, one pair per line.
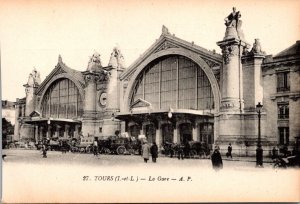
174, 81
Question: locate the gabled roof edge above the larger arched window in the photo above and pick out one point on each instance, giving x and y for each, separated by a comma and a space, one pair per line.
166, 39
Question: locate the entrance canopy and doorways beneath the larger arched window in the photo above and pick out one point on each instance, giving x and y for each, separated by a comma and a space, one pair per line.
165, 126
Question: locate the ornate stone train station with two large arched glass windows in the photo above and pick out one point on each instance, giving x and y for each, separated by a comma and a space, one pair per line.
176, 91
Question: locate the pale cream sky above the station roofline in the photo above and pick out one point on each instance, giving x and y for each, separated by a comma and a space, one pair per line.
33, 33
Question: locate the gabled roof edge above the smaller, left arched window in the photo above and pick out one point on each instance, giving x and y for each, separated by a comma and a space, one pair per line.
62, 68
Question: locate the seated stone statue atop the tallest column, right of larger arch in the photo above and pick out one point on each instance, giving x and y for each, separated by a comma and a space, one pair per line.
233, 25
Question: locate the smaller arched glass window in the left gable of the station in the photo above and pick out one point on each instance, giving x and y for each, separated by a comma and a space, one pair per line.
62, 100
